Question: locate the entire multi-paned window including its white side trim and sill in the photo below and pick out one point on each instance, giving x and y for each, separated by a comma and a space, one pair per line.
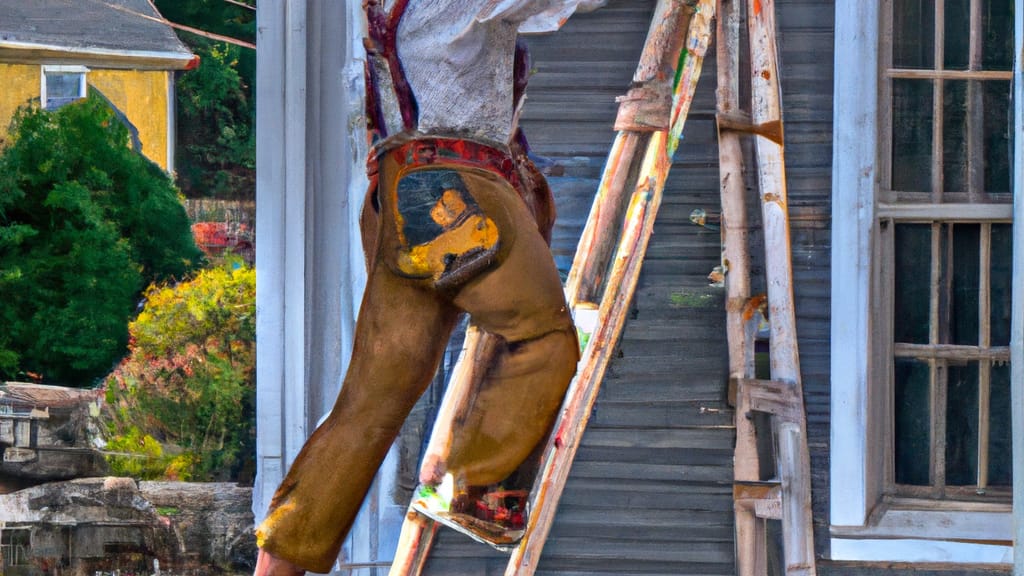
922, 292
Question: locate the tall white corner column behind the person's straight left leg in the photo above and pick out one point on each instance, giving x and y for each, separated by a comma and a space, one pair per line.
310, 267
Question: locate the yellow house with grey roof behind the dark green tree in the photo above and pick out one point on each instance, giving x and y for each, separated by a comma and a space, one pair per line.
55, 52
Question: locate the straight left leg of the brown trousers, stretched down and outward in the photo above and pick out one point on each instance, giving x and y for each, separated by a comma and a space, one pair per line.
401, 335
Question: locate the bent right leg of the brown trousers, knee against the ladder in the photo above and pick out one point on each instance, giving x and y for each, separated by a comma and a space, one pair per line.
522, 302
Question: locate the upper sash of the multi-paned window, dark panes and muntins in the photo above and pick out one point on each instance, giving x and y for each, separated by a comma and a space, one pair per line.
950, 137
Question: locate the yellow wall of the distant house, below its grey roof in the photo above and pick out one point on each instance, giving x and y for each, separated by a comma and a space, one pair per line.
141, 96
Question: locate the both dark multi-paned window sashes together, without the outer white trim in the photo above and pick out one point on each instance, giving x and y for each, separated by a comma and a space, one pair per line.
945, 234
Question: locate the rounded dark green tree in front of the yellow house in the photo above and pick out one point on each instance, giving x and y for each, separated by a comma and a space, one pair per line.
86, 223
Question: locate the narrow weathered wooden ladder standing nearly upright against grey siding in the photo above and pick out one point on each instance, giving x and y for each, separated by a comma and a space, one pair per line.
788, 497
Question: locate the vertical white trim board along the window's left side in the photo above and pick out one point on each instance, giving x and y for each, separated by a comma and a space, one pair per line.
855, 155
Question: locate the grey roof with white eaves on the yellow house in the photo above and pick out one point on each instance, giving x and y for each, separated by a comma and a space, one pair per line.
118, 33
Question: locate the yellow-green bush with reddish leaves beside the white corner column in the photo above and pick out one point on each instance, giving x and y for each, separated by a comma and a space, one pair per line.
189, 381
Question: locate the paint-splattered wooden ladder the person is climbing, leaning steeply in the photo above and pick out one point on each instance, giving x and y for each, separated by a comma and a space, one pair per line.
605, 272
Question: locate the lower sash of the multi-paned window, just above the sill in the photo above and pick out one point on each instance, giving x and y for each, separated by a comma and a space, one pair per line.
951, 352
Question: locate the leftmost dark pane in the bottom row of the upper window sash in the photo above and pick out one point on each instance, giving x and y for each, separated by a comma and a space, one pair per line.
912, 171
